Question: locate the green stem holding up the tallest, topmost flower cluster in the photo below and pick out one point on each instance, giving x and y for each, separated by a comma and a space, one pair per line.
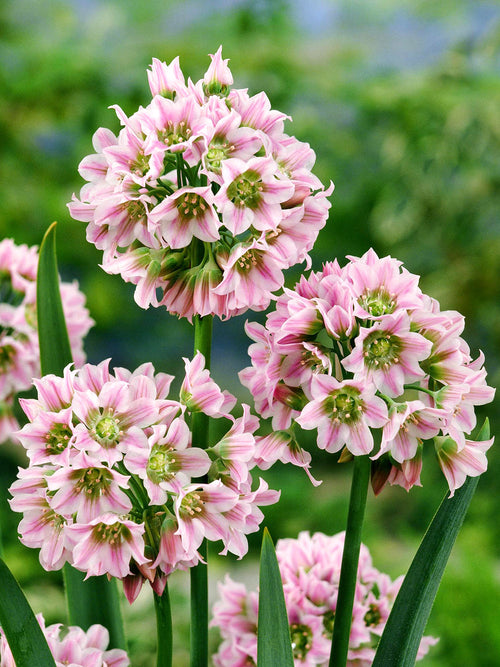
199, 574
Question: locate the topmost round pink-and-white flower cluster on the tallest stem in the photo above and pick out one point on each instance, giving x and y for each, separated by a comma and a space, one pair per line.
202, 200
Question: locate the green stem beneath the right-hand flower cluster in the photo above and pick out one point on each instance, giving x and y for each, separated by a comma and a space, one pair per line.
350, 558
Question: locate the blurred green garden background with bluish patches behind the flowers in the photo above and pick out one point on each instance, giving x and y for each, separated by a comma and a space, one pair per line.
400, 101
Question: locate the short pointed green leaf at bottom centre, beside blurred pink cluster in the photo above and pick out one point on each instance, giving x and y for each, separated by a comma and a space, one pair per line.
273, 639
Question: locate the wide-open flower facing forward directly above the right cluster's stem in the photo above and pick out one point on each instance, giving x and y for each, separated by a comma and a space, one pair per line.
343, 413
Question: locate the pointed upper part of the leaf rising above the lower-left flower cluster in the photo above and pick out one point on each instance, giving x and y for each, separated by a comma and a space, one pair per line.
55, 350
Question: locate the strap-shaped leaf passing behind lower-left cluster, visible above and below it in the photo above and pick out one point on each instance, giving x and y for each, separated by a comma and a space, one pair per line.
95, 600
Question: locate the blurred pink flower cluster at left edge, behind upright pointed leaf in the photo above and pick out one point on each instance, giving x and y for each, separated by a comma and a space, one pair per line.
19, 352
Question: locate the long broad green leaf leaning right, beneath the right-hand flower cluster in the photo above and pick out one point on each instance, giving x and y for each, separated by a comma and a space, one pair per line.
406, 624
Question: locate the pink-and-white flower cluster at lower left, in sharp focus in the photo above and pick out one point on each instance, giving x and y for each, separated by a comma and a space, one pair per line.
115, 484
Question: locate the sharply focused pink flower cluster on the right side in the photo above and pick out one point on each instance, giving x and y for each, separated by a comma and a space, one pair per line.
361, 348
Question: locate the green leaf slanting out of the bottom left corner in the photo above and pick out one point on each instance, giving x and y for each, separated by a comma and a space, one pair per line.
24, 635
